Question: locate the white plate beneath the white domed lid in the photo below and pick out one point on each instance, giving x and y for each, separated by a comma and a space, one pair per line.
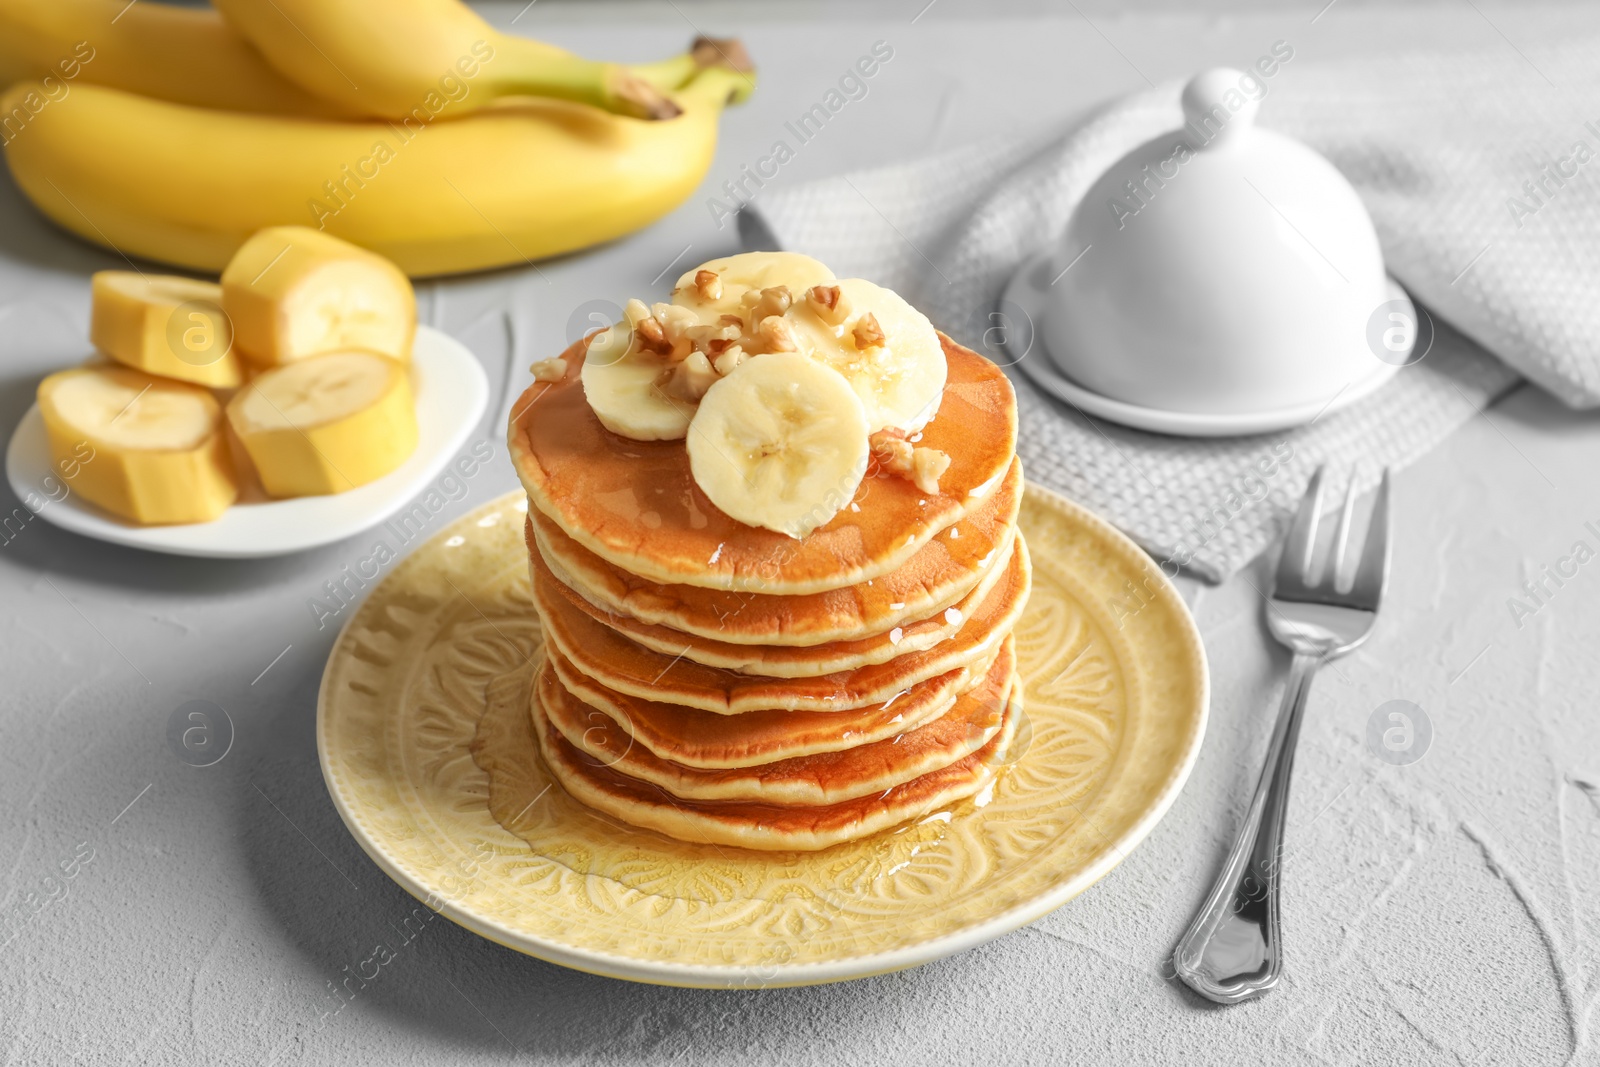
1026, 295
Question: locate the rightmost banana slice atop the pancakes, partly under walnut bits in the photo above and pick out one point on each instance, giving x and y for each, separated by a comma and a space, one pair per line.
900, 382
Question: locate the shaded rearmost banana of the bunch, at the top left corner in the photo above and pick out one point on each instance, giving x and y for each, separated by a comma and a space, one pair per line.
183, 55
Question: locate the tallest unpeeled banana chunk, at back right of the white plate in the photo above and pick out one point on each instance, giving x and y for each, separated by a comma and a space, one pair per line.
295, 292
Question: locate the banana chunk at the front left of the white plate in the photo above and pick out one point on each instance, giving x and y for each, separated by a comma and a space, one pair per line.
146, 449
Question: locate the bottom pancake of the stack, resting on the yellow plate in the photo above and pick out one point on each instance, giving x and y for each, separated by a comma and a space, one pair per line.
770, 828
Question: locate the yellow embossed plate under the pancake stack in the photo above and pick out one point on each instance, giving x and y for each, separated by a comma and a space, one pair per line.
425, 740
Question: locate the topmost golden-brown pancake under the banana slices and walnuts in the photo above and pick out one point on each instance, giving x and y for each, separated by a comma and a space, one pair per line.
638, 506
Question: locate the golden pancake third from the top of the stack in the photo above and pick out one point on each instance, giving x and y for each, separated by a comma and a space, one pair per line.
788, 661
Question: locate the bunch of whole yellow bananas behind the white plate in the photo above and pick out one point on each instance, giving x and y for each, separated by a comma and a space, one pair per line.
311, 113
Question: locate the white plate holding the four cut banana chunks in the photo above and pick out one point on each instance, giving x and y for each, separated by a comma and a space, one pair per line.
455, 359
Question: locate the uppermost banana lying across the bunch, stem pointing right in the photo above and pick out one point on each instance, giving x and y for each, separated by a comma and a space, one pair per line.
386, 60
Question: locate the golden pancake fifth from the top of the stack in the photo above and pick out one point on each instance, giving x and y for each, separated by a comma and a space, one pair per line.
710, 741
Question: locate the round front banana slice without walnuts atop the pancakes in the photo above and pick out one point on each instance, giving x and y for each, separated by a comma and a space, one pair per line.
782, 444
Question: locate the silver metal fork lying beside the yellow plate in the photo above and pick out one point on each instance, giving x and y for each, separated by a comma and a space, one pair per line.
1231, 951
